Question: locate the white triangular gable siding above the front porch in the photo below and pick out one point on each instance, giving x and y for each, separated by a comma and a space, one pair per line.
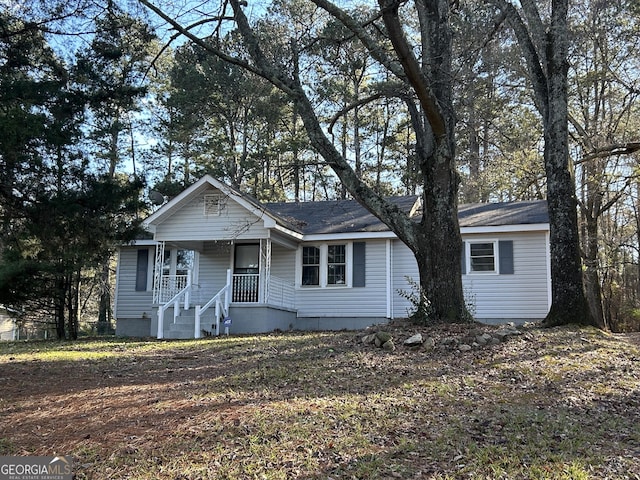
190, 223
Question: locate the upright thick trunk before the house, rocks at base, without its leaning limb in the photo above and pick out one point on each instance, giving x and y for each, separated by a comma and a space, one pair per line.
439, 244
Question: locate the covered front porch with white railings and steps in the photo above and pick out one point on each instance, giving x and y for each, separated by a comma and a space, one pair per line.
207, 288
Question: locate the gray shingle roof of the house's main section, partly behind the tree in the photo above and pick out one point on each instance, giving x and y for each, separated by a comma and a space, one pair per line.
348, 216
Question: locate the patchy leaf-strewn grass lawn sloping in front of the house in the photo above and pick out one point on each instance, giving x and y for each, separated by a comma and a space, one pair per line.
562, 403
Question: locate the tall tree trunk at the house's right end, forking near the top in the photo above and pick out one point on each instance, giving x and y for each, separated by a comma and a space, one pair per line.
545, 49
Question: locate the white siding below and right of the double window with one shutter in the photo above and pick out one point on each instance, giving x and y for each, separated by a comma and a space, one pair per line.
368, 301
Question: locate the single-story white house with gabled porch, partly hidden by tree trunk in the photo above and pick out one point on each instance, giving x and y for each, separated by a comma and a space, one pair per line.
217, 259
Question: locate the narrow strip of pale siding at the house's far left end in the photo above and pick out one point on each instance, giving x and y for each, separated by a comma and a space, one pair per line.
129, 302
